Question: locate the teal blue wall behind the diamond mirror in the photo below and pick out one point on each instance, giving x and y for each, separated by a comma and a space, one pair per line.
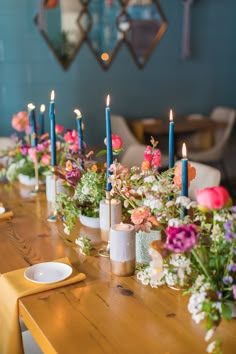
29, 71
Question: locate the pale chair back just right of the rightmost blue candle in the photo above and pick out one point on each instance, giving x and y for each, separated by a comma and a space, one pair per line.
206, 176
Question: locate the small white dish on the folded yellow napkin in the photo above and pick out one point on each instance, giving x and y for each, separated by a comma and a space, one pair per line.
48, 272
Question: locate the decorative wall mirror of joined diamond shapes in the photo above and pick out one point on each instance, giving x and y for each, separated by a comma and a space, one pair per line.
104, 25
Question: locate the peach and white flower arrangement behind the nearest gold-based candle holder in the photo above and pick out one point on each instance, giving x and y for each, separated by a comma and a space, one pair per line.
149, 198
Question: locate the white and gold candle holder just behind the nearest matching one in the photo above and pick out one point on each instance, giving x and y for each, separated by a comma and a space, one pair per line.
116, 216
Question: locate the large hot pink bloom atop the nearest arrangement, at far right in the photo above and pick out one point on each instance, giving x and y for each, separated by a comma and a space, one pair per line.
213, 197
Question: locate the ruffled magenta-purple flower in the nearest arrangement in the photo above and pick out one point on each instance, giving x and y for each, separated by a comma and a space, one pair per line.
182, 238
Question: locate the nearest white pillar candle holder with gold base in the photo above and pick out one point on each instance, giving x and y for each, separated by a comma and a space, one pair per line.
122, 249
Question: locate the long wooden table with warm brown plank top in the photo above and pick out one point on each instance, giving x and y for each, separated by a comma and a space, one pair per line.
104, 313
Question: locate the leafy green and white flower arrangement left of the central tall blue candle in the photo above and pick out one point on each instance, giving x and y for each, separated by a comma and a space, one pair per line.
86, 183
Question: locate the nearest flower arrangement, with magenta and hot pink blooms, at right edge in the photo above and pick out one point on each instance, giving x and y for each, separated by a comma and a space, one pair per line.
200, 256
